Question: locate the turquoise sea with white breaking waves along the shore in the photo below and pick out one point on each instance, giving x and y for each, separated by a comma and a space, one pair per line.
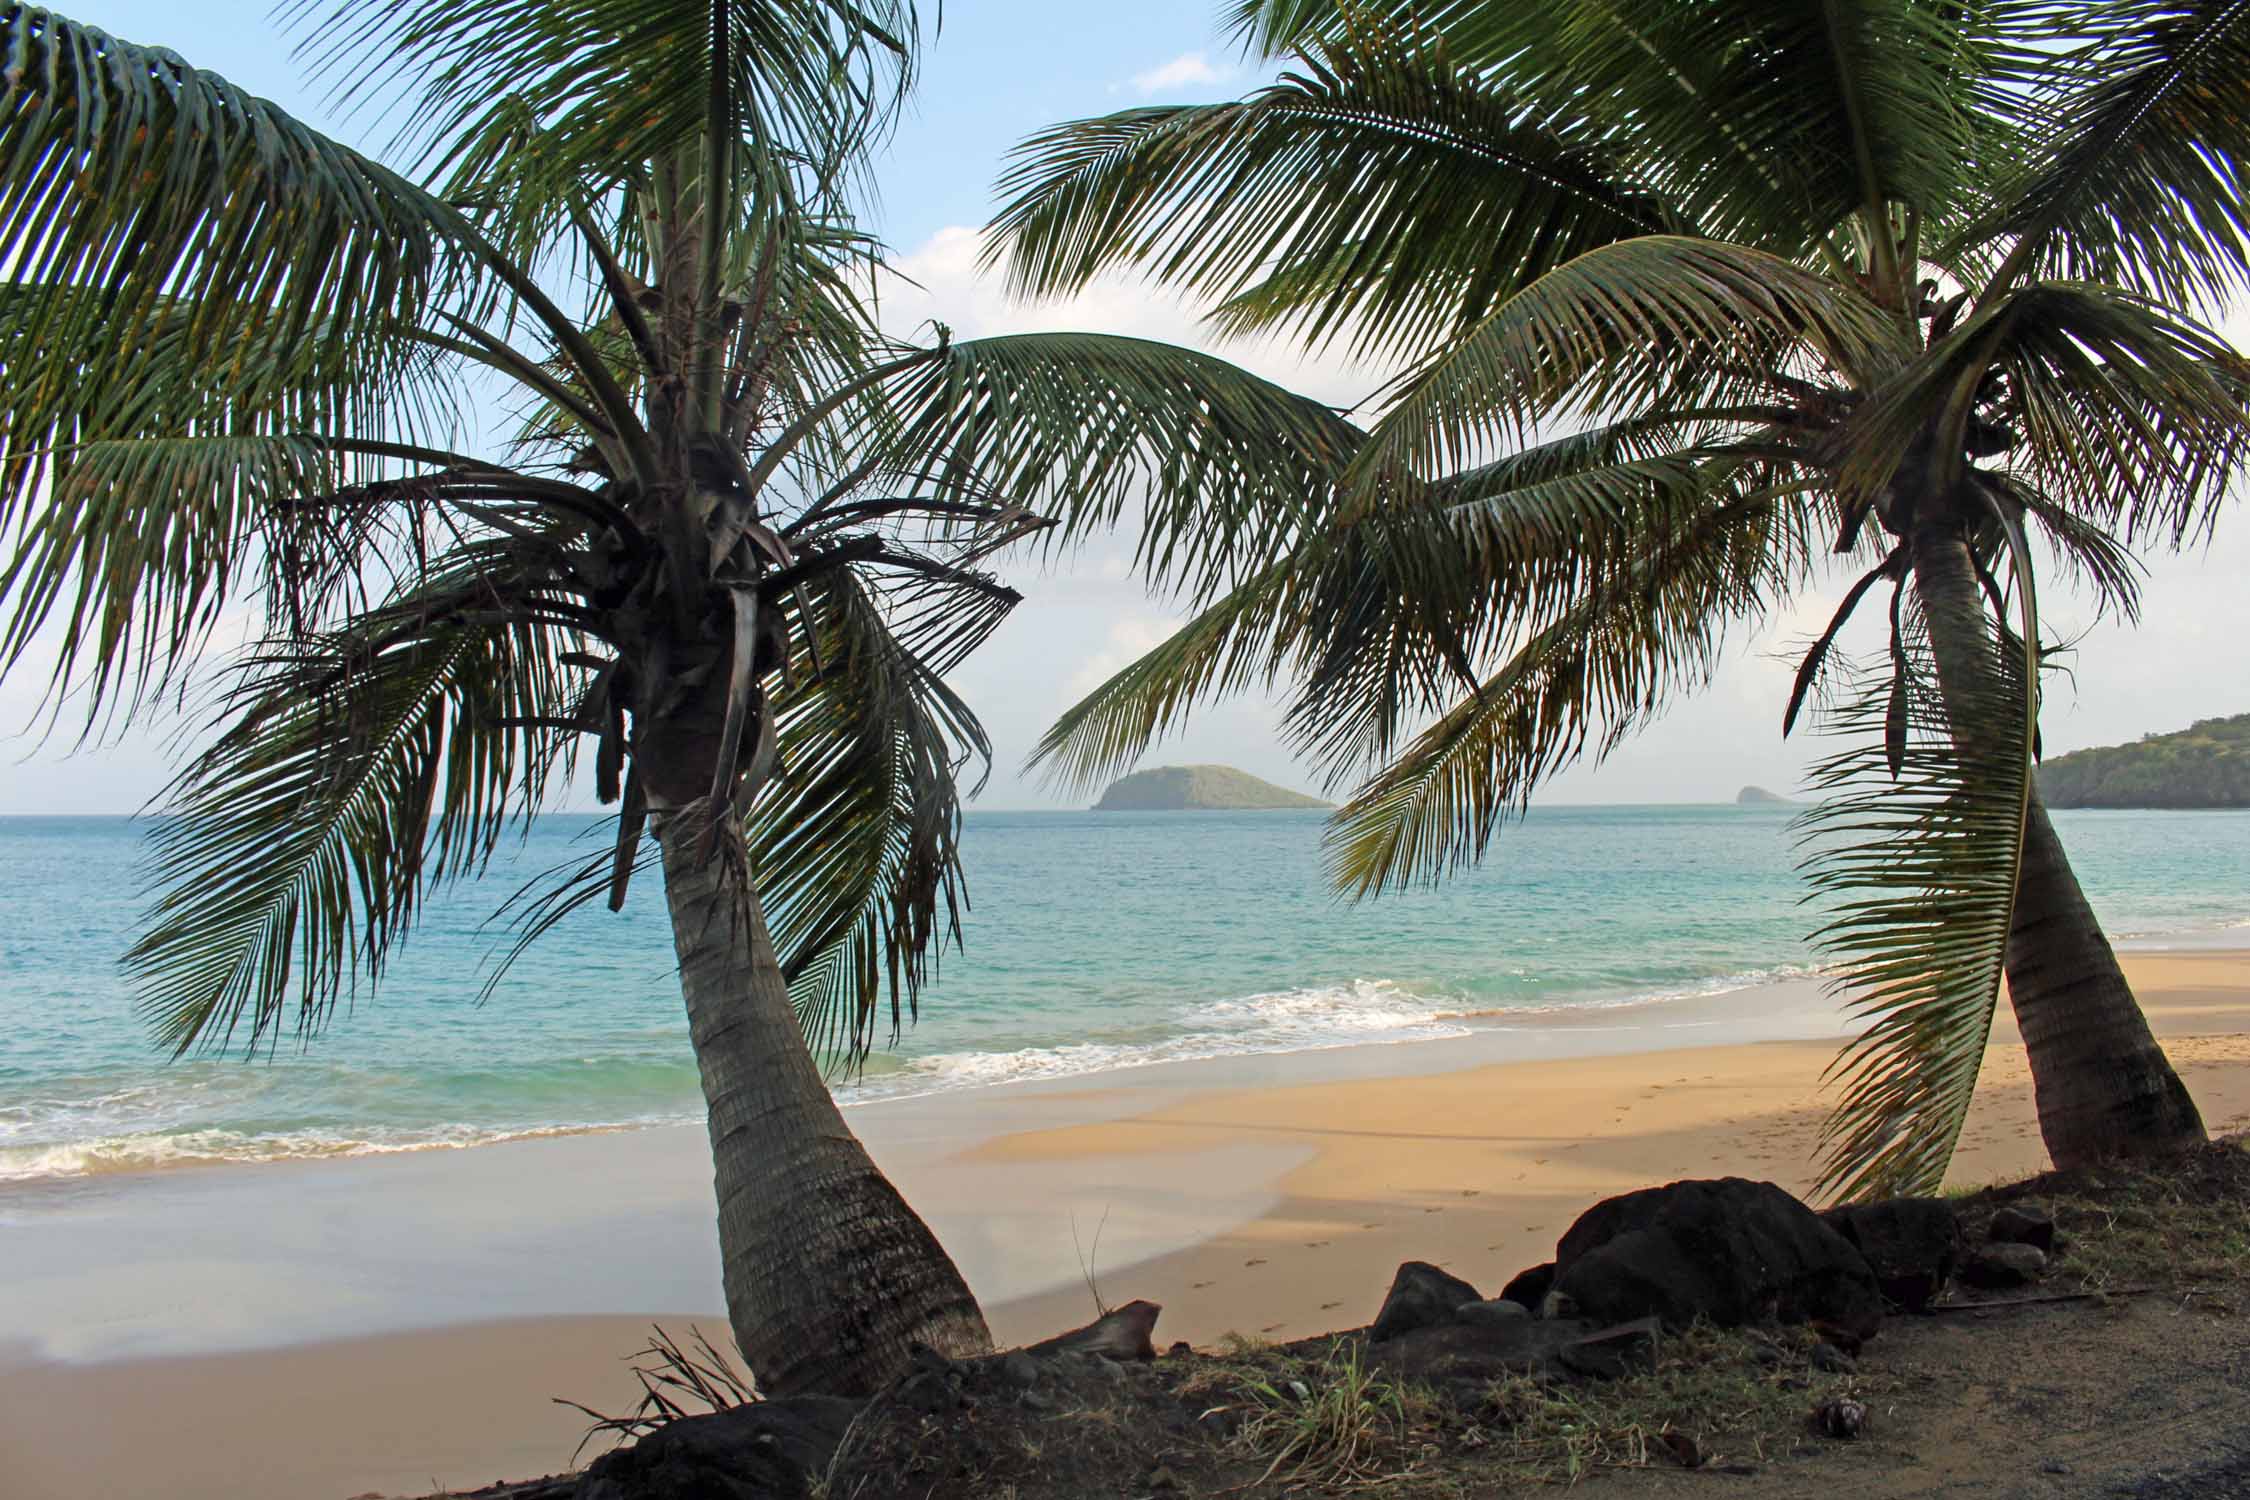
1095, 941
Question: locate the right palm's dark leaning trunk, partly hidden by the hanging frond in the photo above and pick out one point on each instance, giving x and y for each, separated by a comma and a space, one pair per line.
2103, 1083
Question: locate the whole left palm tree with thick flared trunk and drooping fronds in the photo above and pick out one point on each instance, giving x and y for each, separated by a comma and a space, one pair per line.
586, 433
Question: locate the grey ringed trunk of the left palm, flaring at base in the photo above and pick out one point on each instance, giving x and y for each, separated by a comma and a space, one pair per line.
831, 1278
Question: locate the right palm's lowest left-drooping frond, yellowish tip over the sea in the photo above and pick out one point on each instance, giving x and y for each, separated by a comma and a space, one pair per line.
1578, 685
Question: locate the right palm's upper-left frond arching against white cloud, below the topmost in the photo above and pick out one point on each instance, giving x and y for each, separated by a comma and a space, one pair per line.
1378, 195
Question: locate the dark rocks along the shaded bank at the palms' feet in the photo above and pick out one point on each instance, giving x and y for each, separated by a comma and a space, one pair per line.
1626, 1276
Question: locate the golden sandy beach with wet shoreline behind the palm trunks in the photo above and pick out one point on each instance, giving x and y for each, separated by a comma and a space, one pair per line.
390, 1326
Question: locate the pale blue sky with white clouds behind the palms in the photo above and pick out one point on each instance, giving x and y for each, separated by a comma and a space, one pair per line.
996, 73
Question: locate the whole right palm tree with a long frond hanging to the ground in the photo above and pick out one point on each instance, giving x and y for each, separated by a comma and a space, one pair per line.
1691, 298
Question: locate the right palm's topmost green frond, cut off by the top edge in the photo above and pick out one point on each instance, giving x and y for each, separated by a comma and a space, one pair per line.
1763, 120
